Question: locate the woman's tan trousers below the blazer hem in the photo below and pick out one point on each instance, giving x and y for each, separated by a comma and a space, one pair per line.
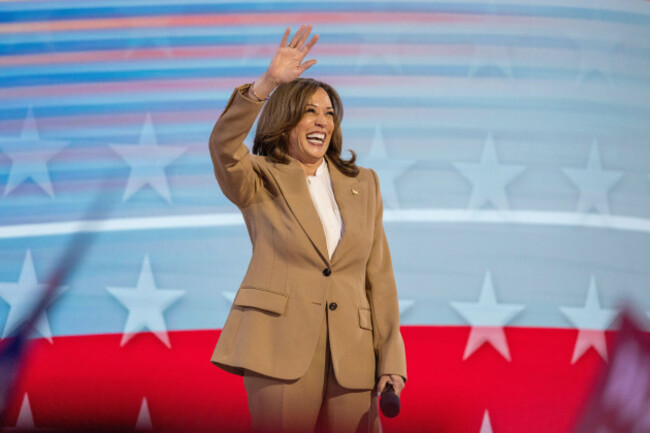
315, 402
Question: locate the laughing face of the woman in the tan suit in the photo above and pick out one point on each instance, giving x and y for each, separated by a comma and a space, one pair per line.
310, 138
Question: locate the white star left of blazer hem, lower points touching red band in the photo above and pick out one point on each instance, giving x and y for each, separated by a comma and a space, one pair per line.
146, 304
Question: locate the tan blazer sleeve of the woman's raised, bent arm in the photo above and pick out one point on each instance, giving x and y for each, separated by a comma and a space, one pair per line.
231, 158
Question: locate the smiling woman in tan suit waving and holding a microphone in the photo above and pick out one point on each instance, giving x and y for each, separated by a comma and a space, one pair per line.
315, 324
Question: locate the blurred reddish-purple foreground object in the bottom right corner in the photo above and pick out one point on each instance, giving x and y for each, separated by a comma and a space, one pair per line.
621, 399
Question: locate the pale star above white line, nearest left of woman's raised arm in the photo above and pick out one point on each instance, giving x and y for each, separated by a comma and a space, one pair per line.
148, 161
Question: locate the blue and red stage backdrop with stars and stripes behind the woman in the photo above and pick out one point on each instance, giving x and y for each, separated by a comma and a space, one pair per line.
511, 139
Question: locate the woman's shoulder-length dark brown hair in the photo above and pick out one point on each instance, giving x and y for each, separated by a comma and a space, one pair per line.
283, 111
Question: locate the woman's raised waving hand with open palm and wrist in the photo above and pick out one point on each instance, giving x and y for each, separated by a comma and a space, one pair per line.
287, 63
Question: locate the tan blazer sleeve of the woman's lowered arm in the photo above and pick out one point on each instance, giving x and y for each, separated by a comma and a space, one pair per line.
382, 294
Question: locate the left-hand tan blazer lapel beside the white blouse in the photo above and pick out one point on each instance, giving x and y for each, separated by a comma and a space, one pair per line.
293, 184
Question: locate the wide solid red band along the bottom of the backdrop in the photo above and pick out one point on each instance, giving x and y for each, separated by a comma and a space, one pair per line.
92, 381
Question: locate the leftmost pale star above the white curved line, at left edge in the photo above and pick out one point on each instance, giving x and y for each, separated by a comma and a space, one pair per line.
29, 155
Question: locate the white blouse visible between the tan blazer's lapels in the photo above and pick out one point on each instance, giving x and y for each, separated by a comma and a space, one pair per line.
322, 194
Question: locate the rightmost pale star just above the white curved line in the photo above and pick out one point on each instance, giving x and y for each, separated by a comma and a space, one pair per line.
593, 182
